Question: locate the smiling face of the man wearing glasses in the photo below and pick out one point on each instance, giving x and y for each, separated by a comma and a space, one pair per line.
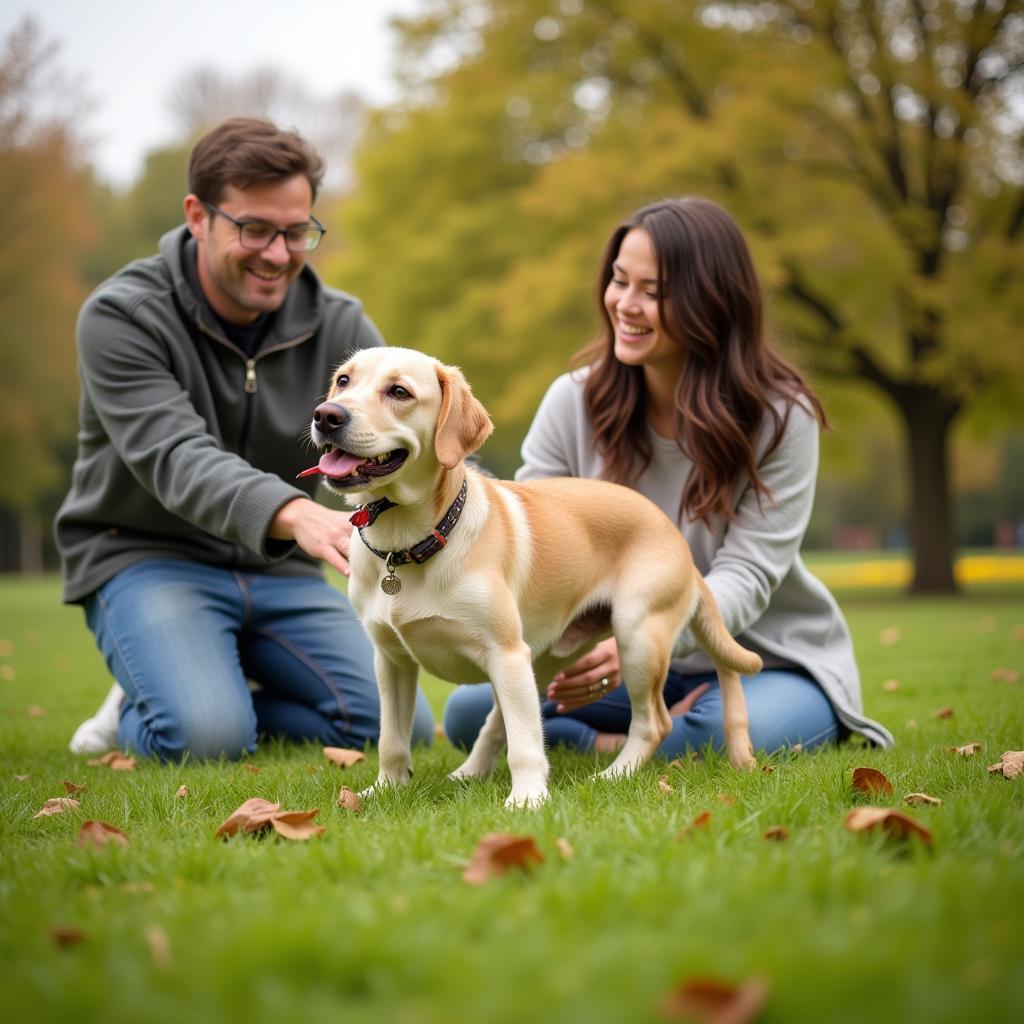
241, 284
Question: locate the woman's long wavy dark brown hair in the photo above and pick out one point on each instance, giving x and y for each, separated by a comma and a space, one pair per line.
710, 301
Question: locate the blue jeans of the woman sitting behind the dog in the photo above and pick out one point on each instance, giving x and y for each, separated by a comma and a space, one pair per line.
785, 708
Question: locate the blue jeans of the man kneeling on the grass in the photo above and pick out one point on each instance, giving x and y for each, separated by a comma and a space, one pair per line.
185, 641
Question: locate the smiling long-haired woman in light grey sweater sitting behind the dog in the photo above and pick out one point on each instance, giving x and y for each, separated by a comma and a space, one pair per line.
684, 399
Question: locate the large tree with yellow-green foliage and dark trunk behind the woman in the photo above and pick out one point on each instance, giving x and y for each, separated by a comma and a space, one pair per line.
871, 149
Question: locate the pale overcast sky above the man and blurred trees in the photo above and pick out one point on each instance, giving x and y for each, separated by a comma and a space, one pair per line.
129, 56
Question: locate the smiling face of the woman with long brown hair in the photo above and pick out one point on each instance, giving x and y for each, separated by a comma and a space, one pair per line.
631, 300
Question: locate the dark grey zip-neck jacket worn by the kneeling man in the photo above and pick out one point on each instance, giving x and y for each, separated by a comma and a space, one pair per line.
187, 447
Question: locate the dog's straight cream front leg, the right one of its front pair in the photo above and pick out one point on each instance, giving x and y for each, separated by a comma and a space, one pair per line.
516, 693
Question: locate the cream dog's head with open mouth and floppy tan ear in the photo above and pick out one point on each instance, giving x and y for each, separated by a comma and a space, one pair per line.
392, 414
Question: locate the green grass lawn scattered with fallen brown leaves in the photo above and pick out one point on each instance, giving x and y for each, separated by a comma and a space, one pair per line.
372, 921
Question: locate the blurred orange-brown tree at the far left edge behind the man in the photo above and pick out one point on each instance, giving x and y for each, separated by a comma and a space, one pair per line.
48, 228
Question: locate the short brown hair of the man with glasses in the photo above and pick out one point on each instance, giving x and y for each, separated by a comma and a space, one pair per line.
244, 152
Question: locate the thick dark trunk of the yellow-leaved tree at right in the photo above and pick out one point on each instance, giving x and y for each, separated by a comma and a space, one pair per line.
928, 416
